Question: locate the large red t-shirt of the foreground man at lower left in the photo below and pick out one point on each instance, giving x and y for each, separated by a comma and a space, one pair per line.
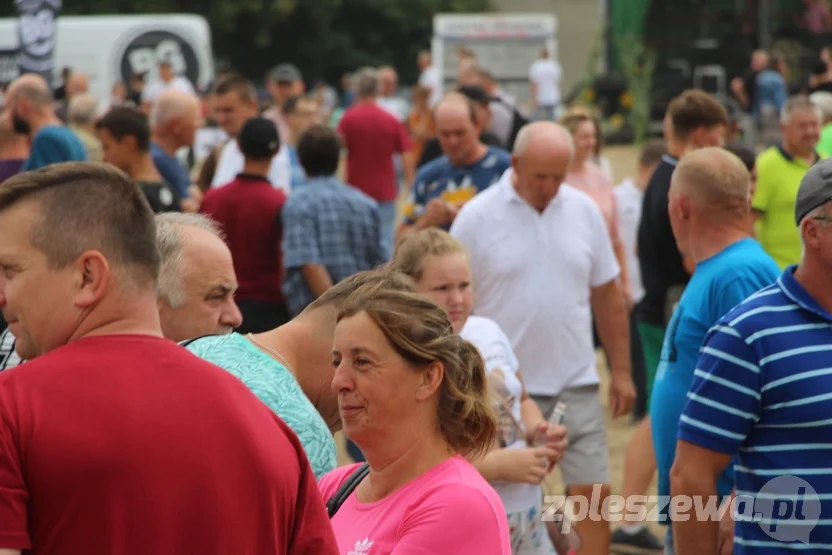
131, 445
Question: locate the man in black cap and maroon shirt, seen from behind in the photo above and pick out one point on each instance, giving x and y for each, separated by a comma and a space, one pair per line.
248, 211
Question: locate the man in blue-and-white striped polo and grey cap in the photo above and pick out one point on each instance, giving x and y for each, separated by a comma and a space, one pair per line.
762, 392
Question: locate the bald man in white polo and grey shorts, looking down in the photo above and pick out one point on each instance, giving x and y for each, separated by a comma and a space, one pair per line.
543, 264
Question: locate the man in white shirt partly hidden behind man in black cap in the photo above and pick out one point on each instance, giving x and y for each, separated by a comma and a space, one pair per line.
235, 102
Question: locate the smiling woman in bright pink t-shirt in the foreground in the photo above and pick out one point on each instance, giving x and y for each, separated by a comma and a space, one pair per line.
412, 395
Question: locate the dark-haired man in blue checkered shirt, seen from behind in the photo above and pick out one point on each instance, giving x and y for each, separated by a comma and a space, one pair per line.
330, 230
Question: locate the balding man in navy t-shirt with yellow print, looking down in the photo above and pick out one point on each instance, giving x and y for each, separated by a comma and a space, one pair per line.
467, 168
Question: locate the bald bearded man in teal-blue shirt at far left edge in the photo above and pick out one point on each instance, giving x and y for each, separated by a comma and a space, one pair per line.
29, 101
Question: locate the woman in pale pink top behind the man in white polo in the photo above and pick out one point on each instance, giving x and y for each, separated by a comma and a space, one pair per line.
585, 176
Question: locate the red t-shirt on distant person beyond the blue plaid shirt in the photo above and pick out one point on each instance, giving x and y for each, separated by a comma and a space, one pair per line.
372, 136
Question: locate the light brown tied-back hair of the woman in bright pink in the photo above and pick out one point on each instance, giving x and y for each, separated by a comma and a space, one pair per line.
421, 333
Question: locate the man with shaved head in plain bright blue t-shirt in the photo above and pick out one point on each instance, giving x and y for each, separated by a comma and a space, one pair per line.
708, 211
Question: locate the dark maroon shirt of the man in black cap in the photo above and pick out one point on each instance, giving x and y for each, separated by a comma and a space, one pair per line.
248, 210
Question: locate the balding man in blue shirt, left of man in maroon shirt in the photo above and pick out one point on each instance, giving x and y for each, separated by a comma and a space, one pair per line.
174, 119
